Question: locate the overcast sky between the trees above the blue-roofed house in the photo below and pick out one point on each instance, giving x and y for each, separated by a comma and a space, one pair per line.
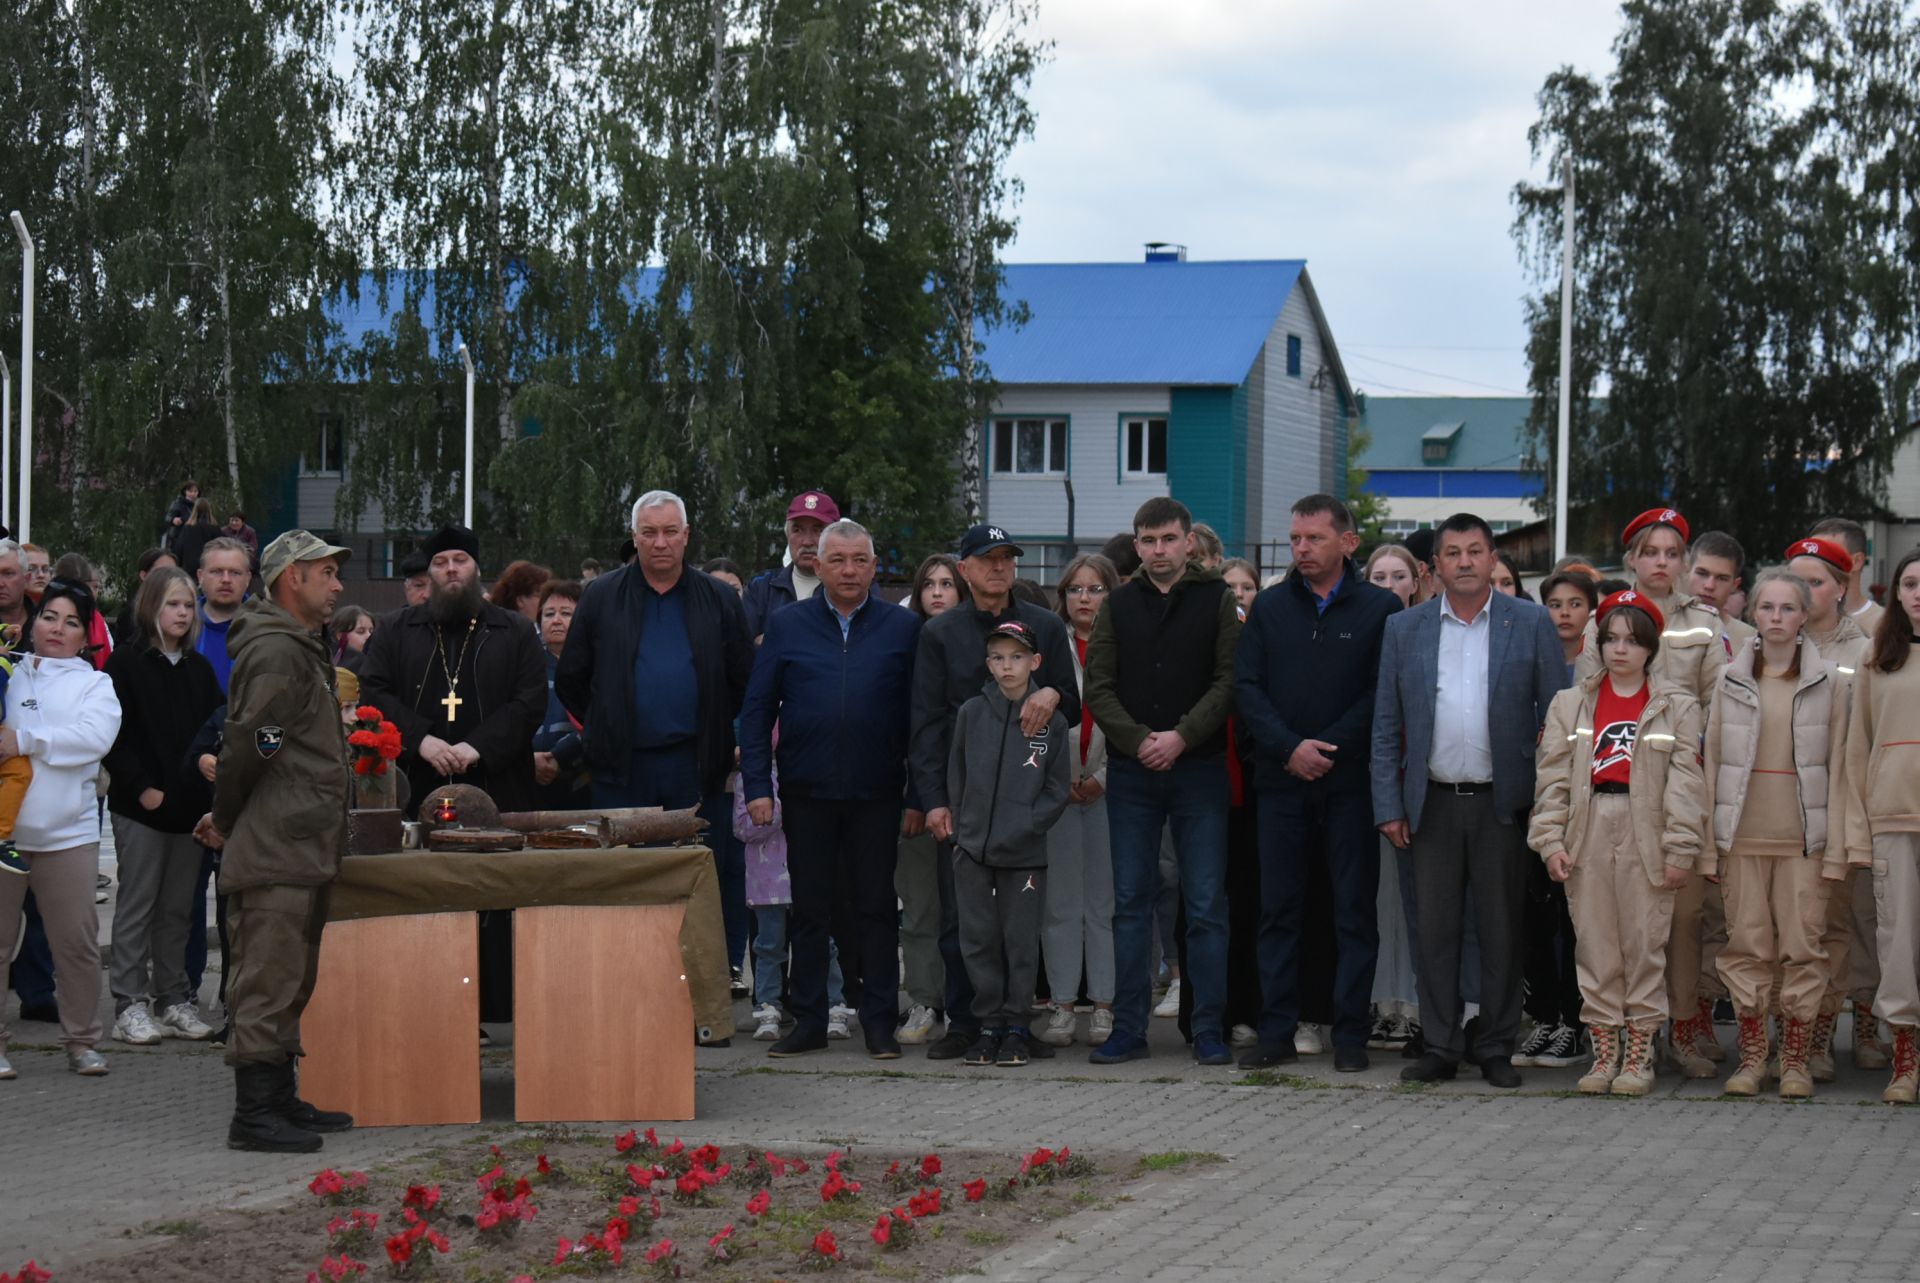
1376, 139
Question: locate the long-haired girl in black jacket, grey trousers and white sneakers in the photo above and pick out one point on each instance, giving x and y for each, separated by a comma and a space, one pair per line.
166, 692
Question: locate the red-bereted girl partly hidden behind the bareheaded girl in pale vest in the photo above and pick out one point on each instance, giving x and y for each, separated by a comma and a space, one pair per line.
1825, 566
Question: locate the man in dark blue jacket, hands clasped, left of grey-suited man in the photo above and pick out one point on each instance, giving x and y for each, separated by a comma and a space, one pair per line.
1305, 681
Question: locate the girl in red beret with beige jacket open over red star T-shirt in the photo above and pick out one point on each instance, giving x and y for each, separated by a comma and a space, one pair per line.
1621, 821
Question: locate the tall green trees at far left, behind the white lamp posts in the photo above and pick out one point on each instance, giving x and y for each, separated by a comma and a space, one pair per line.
170, 174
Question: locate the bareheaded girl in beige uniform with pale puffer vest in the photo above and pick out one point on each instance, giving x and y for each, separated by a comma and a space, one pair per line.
1775, 746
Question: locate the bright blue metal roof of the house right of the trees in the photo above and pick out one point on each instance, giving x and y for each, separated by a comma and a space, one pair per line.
1140, 324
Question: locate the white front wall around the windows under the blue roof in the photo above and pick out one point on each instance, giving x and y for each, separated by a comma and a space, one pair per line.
1038, 506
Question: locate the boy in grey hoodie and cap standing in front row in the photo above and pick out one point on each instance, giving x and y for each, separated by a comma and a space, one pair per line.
1007, 790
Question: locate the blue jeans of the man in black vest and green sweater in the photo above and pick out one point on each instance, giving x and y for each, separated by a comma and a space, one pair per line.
1191, 798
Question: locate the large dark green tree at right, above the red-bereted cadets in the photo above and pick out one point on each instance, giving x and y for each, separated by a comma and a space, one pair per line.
1748, 264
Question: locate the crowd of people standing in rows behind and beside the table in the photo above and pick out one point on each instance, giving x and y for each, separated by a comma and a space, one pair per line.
1368, 806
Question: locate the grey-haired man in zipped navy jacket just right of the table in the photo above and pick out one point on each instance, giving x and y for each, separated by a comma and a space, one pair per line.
836, 671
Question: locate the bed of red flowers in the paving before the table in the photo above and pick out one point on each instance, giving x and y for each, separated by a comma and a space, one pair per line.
565, 1203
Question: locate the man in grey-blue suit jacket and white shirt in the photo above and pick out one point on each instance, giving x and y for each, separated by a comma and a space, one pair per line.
1466, 683
